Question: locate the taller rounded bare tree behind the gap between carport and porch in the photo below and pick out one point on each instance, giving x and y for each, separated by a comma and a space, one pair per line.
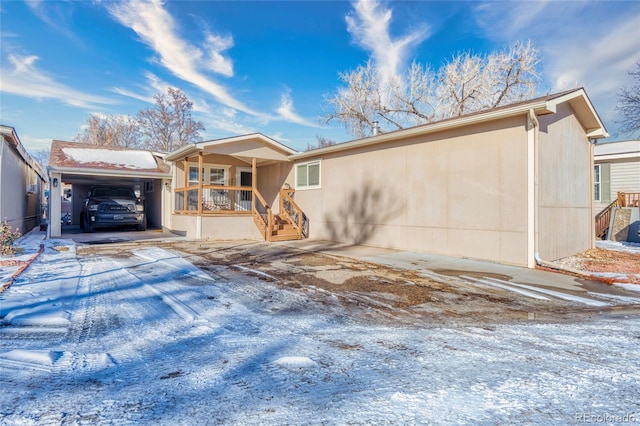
169, 125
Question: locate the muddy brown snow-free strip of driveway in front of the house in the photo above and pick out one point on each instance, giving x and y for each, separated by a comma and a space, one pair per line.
366, 291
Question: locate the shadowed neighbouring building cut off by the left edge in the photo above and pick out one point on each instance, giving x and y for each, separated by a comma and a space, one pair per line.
22, 184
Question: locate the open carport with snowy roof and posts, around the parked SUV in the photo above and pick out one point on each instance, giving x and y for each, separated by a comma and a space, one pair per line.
82, 166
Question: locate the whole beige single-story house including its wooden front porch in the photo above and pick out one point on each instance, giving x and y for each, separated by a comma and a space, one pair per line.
509, 185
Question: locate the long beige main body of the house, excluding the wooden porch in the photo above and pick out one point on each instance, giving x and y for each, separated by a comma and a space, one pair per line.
506, 185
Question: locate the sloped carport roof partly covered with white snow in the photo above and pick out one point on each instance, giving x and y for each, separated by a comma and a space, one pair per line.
77, 158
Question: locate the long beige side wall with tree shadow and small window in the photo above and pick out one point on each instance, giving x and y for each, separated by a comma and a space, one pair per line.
461, 193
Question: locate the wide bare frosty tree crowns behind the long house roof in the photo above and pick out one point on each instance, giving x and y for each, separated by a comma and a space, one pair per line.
465, 84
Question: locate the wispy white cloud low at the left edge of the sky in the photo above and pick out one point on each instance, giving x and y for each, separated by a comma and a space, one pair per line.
24, 79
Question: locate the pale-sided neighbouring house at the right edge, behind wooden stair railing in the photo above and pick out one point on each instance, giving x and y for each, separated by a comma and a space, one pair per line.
616, 169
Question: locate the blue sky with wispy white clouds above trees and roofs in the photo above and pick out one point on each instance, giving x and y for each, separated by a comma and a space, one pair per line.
268, 66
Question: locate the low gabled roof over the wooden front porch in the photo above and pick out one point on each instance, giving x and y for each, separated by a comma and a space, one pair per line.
245, 148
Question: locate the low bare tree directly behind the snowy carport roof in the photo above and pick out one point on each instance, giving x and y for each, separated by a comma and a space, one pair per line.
110, 130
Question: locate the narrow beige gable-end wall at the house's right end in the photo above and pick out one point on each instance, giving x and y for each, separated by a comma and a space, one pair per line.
564, 163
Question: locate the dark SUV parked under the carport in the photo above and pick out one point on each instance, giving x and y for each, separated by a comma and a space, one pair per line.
108, 206
